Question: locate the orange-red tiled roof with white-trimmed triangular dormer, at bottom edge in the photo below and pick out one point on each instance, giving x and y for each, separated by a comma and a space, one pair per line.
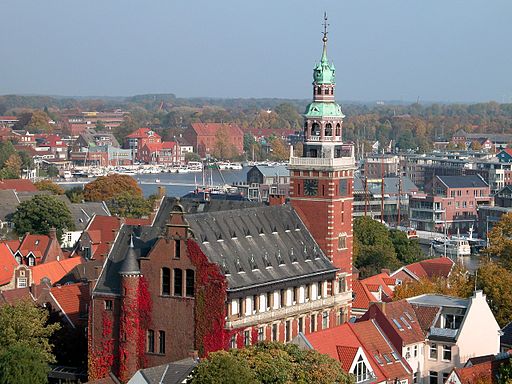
362, 350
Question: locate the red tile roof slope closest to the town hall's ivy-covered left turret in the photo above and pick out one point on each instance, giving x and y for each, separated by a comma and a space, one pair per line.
72, 300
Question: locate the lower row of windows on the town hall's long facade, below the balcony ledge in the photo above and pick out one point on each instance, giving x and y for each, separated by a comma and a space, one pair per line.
288, 330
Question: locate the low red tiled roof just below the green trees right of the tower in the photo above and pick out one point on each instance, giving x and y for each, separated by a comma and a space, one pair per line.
431, 268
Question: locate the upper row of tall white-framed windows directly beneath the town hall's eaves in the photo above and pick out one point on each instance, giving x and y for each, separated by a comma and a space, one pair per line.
283, 298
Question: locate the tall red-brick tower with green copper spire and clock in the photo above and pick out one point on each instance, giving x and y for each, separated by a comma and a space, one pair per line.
322, 176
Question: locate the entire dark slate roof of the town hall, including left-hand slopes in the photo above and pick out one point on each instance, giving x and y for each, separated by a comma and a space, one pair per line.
252, 246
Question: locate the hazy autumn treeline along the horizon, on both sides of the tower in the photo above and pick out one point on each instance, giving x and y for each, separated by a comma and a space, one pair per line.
408, 126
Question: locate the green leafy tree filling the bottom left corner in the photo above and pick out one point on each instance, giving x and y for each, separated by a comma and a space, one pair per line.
24, 343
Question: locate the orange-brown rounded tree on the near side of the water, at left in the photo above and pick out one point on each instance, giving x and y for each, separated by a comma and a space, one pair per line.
106, 188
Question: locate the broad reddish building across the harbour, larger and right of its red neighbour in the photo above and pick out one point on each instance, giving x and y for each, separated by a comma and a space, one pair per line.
203, 137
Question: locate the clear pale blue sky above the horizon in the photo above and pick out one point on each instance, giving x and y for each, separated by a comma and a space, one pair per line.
434, 50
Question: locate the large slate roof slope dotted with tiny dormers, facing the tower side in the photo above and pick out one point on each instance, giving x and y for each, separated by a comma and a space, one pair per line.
254, 246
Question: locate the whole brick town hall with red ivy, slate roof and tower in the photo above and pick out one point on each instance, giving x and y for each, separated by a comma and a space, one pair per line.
210, 275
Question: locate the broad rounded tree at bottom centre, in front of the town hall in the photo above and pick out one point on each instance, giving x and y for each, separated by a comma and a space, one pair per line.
270, 363
